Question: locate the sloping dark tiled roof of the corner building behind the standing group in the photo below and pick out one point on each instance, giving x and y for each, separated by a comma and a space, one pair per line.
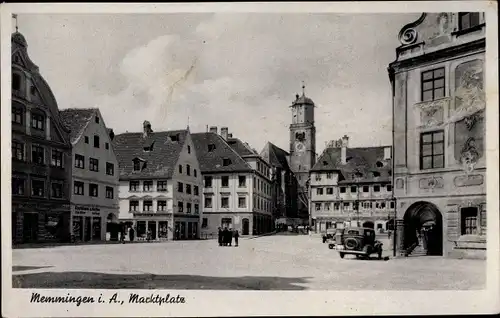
211, 161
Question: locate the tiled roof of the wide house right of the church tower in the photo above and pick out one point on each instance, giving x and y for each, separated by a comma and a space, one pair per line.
367, 163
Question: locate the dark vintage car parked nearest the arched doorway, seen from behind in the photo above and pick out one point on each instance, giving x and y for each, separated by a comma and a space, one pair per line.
359, 241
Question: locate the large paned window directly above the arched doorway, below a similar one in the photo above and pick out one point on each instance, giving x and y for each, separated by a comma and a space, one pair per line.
432, 150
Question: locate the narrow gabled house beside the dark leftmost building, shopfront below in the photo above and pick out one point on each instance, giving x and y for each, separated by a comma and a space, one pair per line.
94, 197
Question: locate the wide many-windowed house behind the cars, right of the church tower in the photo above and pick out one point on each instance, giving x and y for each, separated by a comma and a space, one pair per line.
352, 186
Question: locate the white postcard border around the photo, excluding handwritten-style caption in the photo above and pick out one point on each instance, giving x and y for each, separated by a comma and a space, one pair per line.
243, 303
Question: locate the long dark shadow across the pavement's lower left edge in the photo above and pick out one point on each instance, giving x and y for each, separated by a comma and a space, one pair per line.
89, 280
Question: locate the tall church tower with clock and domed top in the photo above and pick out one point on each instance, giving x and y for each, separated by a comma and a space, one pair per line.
302, 137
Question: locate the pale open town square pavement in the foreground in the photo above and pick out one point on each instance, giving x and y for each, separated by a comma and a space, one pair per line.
277, 262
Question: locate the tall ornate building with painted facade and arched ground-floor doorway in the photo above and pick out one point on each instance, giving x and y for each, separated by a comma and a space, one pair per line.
439, 135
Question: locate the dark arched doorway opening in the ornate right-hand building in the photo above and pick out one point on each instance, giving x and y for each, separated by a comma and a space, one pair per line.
423, 226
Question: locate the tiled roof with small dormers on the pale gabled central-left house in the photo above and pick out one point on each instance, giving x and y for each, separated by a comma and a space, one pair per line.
159, 162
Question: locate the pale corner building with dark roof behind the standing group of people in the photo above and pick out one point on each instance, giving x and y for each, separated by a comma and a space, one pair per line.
236, 190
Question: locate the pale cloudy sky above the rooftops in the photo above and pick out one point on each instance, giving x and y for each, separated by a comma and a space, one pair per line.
225, 69
